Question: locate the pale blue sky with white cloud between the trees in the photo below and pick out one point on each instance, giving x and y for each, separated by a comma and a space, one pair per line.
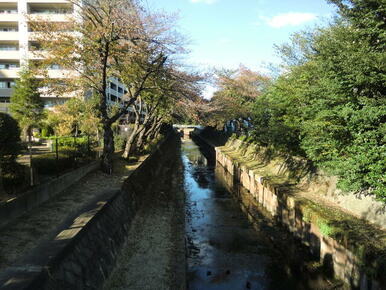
227, 33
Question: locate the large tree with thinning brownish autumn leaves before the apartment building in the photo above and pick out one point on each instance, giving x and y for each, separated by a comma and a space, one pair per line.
114, 38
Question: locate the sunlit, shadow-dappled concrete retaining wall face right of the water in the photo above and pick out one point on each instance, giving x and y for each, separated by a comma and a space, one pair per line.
347, 261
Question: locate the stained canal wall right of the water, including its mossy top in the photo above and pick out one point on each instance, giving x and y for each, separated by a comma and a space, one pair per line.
353, 247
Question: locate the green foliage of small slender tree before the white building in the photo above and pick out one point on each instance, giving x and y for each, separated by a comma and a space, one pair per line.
26, 105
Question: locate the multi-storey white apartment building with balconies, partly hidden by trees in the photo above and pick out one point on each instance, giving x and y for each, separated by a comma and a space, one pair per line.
17, 45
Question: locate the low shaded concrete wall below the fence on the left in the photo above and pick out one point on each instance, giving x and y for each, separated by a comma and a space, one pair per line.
41, 193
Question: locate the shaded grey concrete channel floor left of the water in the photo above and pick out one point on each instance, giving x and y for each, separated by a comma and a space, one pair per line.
154, 254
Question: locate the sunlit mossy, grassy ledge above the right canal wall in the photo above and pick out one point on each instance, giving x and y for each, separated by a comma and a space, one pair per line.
366, 241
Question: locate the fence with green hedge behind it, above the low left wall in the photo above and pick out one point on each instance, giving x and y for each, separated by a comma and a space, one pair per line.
47, 159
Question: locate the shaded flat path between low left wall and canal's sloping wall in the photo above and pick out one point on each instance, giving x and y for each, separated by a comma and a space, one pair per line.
24, 236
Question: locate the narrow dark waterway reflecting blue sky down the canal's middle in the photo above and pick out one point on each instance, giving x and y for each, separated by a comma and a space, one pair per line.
224, 250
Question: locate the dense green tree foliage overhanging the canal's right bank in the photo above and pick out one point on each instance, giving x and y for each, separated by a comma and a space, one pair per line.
330, 105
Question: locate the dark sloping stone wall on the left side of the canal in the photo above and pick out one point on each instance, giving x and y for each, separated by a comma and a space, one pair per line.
85, 259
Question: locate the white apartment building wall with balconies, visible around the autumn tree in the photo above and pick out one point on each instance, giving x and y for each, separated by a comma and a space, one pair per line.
21, 38
